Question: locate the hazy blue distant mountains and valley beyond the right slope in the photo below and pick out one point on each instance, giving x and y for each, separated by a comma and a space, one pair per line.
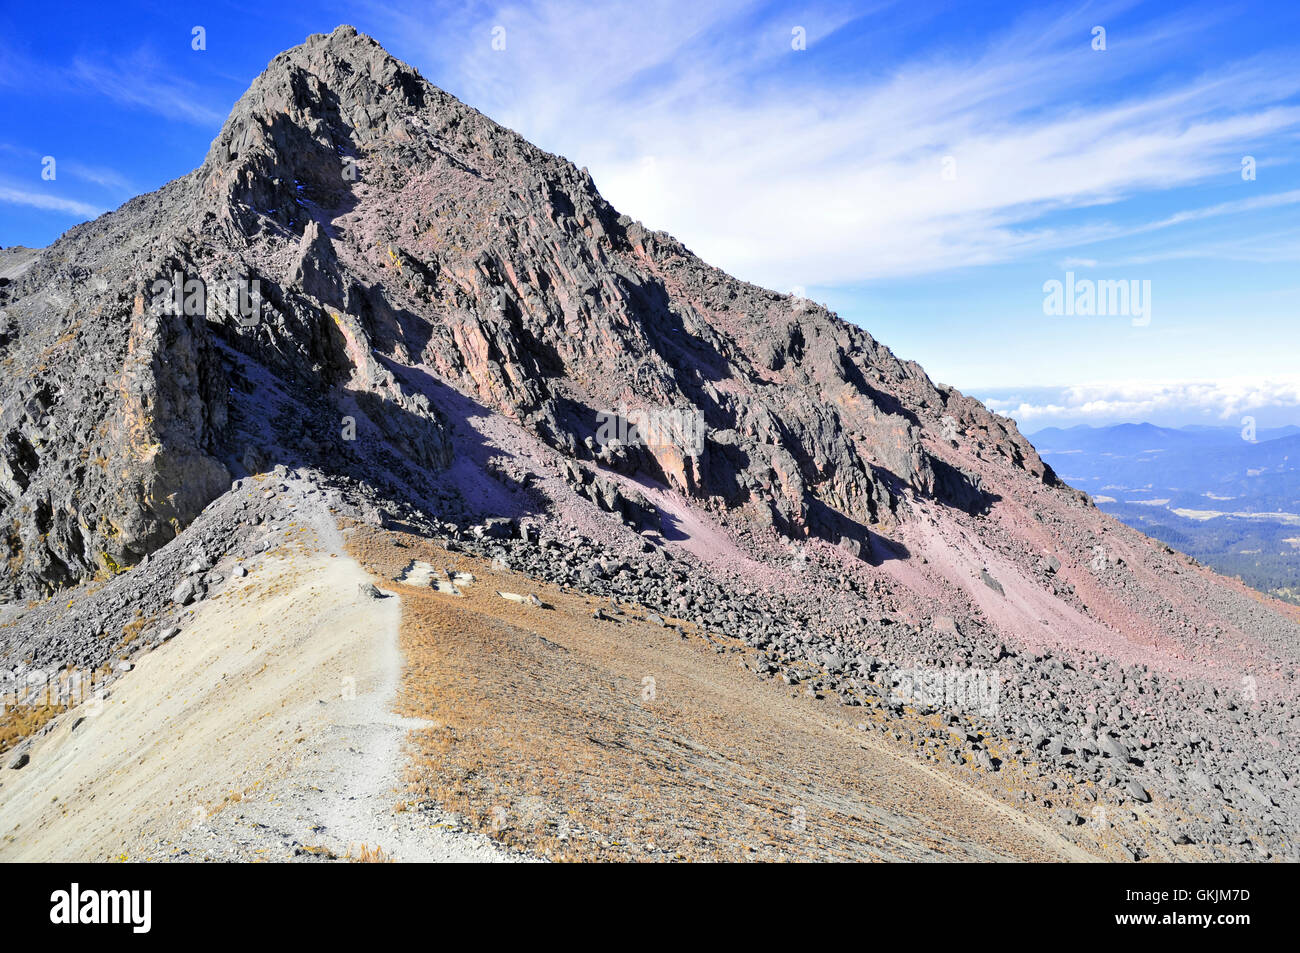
1232, 503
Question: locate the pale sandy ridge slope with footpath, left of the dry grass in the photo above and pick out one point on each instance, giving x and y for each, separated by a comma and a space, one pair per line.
265, 731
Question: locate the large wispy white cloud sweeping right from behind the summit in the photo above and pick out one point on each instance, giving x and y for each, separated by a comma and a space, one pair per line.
790, 174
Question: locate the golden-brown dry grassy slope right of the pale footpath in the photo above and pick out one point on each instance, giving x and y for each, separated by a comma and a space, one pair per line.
579, 739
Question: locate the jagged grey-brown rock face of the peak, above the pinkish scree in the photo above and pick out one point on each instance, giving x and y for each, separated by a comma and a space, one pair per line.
363, 240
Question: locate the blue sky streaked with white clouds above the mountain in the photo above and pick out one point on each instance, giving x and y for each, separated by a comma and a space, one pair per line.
921, 168
